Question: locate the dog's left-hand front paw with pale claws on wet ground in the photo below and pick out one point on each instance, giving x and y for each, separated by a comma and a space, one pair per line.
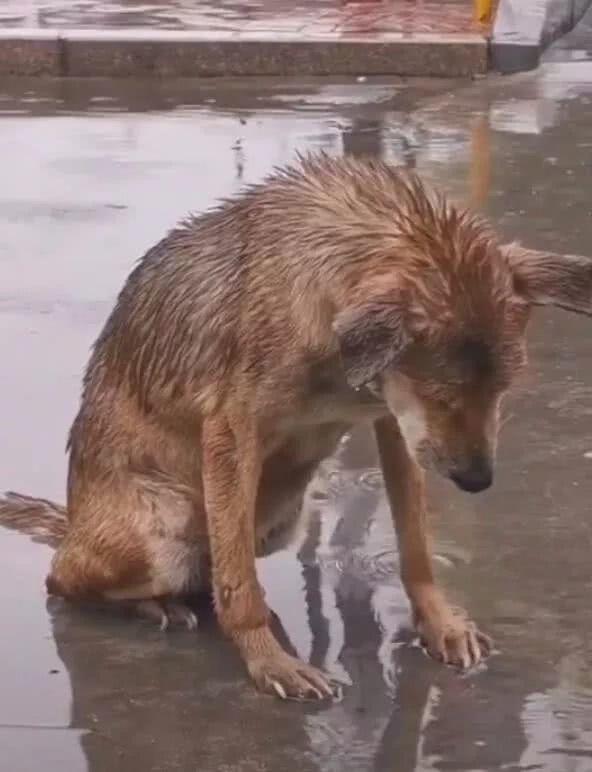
289, 678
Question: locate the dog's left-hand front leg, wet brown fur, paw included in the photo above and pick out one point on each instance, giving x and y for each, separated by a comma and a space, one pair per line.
231, 473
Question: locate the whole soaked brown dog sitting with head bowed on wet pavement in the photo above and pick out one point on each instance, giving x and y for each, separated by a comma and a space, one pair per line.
241, 349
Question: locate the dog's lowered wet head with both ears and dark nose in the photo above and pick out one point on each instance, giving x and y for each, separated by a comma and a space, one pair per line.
443, 338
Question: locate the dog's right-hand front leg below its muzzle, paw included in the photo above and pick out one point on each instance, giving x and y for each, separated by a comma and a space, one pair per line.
446, 632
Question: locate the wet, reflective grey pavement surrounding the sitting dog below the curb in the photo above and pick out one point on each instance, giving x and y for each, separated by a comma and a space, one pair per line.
94, 174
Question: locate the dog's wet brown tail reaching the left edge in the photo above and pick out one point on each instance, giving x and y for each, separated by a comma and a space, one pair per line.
43, 521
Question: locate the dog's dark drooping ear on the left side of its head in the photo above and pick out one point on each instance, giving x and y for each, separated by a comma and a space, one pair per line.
371, 337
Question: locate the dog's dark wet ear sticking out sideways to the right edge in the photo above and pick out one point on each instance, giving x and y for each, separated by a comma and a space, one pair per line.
546, 278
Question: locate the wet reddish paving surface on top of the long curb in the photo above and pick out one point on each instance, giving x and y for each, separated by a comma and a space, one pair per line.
312, 17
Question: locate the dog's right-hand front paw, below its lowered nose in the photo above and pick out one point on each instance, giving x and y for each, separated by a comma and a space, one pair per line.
450, 637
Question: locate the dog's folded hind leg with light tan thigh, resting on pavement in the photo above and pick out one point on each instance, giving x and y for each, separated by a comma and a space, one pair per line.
146, 556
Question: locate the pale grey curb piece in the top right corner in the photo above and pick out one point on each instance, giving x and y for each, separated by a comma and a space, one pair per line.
524, 28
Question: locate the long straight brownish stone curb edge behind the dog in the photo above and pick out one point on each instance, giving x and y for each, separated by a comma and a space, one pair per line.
145, 53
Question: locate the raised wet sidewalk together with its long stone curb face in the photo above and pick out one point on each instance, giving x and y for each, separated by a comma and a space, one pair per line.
112, 38
